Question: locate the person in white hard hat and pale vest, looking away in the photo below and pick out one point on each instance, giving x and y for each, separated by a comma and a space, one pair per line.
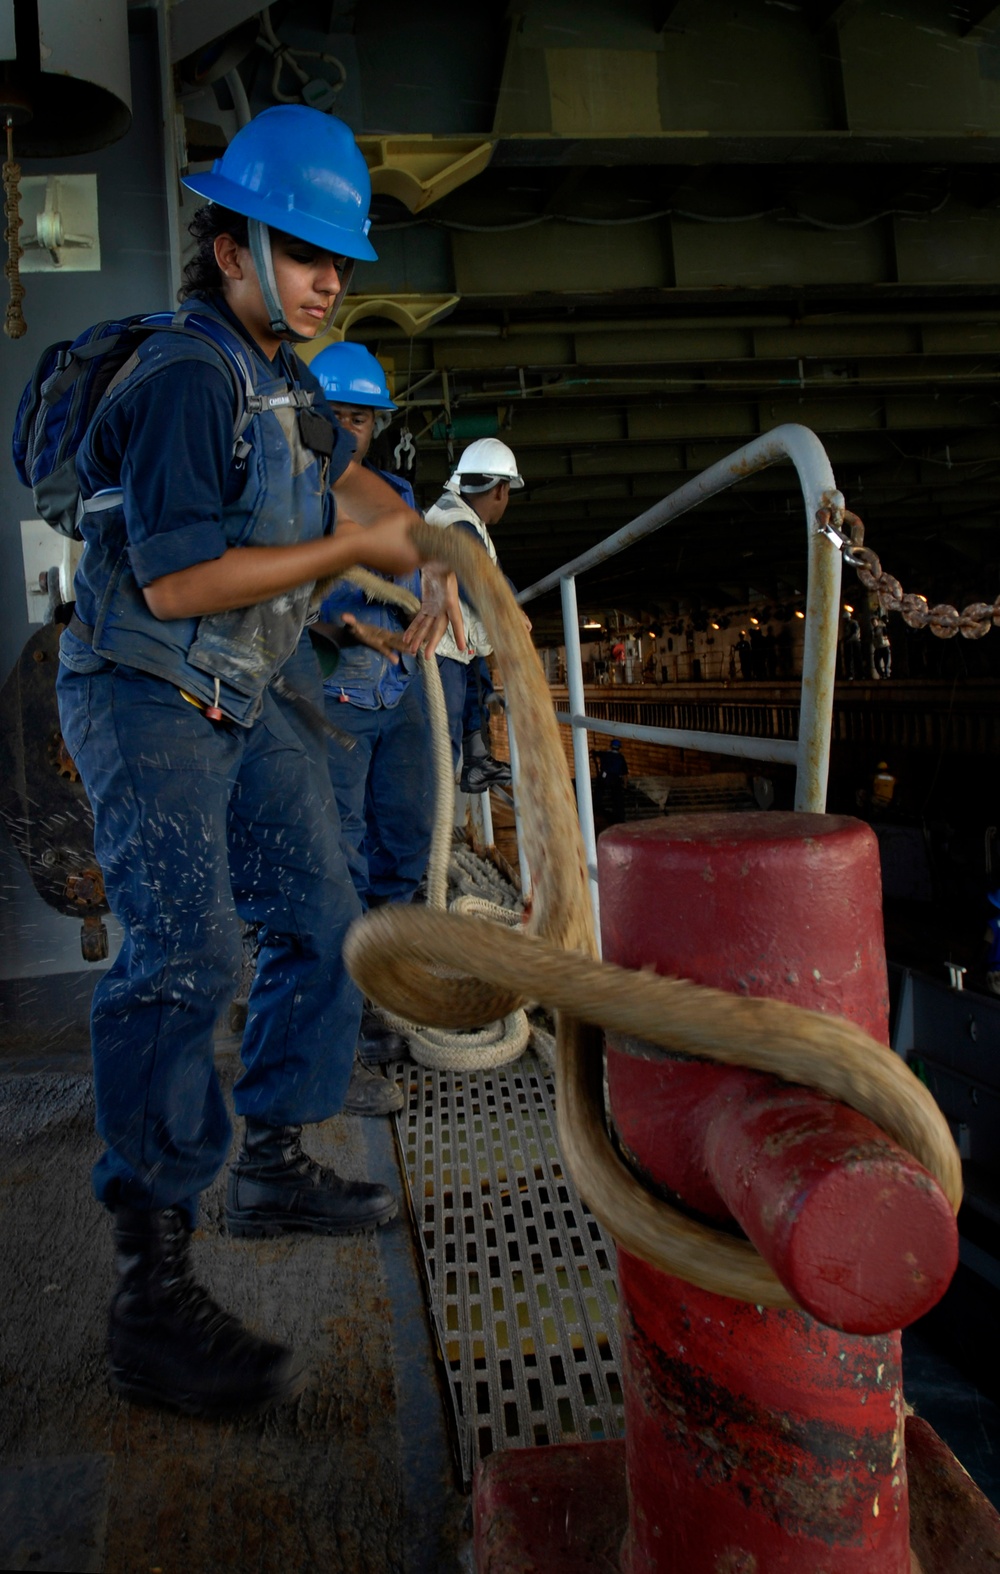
476, 497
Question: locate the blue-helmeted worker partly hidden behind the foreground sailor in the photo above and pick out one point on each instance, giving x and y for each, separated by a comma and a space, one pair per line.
385, 785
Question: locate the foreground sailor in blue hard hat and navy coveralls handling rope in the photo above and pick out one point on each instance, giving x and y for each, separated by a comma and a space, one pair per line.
212, 509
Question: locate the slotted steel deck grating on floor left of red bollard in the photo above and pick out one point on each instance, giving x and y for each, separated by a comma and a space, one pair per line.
520, 1274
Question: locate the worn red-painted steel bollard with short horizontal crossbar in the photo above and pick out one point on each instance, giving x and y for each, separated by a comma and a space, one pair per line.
766, 1441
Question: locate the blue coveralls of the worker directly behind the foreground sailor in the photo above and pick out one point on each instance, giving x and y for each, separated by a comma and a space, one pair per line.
385, 785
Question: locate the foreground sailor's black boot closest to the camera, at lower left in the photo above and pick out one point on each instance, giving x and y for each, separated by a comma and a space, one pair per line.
169, 1342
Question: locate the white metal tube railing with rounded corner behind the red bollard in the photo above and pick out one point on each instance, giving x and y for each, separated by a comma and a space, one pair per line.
812, 752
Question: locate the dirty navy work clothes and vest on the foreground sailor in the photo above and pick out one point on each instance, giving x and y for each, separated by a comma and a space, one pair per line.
194, 819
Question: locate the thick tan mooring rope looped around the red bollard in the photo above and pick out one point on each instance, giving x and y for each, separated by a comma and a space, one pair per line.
462, 972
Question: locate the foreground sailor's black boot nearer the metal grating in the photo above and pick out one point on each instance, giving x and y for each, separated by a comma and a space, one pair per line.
275, 1188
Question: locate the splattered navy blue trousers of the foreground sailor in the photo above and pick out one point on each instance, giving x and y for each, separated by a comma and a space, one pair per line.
196, 822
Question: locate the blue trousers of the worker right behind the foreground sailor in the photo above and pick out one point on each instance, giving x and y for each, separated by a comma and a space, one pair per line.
385, 794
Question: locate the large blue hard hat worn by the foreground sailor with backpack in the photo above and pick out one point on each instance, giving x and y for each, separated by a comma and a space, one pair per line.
302, 172
